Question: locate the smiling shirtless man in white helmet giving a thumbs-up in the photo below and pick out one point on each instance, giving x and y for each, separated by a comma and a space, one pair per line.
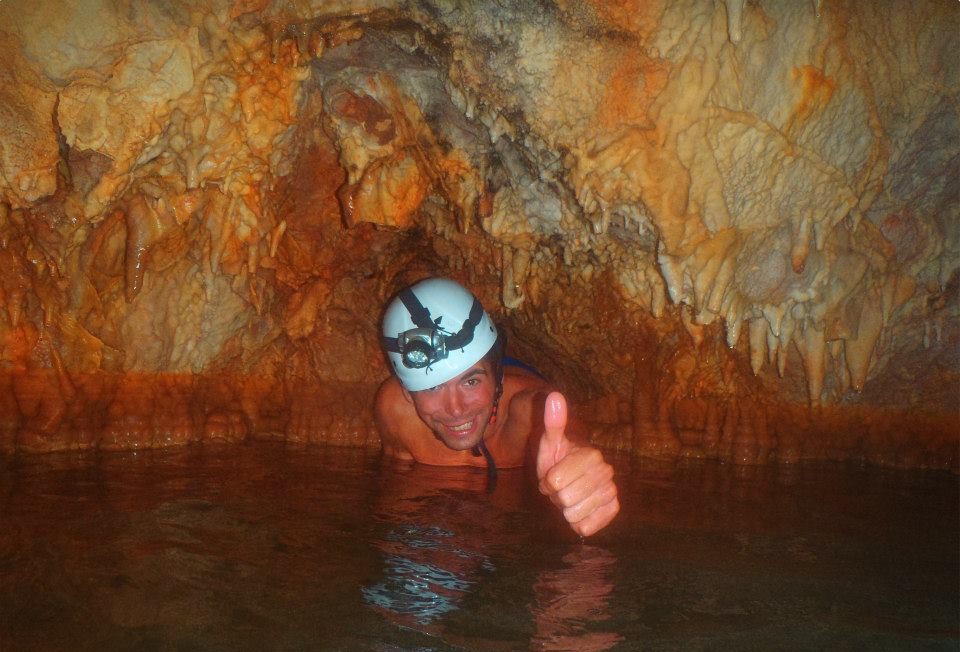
453, 401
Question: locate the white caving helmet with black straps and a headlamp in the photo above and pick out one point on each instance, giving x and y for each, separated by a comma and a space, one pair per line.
434, 331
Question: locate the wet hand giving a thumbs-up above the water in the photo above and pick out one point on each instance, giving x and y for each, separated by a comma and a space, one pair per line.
575, 477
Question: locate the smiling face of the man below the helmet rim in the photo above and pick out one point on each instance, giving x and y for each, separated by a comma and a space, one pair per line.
458, 410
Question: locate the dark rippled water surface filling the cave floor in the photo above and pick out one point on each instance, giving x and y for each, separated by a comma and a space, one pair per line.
265, 547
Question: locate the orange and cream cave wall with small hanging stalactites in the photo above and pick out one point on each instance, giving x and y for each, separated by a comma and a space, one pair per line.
727, 229
